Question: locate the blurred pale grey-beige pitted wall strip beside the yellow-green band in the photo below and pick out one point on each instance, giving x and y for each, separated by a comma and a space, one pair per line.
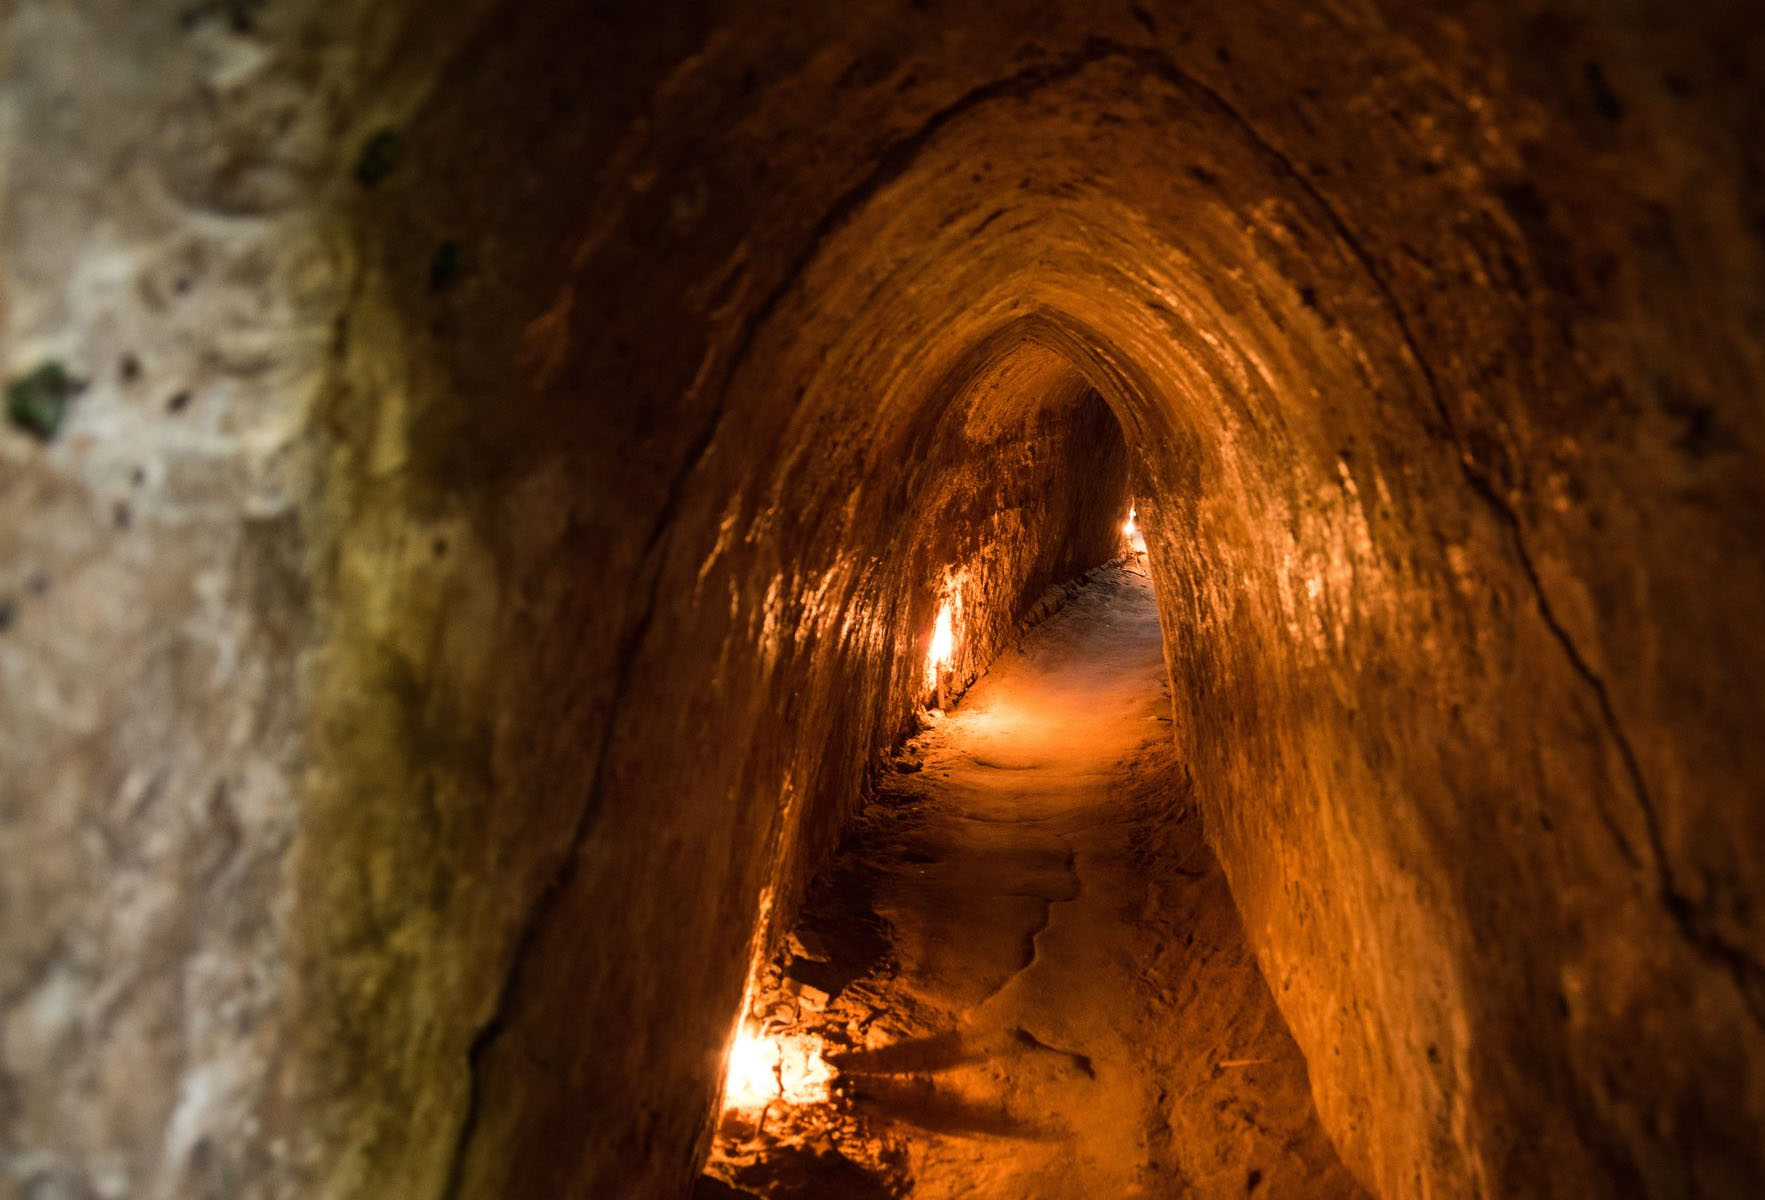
160, 241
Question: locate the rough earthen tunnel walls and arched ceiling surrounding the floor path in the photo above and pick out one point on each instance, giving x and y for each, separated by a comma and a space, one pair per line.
652, 391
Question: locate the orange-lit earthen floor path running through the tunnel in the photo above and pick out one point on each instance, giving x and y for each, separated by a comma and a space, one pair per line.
1025, 966
